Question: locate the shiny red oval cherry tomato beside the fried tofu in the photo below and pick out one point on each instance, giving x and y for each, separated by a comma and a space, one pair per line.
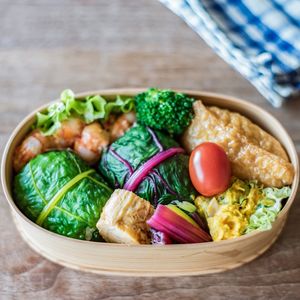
209, 169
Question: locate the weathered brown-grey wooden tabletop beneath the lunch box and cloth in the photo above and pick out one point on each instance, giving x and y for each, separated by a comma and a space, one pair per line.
49, 45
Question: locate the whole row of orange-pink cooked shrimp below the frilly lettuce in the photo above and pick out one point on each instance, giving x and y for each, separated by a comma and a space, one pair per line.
88, 141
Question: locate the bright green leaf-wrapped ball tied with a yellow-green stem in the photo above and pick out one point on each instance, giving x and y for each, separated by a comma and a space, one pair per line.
60, 192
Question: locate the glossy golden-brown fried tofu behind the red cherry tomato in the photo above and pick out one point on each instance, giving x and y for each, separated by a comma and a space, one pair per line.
253, 153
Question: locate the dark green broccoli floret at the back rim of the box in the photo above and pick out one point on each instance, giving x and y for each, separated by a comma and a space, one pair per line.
164, 110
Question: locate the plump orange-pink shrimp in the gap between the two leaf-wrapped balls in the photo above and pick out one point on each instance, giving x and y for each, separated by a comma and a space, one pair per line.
93, 140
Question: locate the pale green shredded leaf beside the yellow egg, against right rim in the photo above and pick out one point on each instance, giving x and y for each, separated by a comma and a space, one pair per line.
268, 208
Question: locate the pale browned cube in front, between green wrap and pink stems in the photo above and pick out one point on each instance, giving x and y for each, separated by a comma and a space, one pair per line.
123, 219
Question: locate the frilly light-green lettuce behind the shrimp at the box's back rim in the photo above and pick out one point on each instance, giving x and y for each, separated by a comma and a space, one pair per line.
89, 109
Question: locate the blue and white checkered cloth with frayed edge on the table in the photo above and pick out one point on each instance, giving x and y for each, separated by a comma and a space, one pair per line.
259, 38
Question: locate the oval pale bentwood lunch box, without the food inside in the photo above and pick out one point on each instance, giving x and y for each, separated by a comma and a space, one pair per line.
148, 260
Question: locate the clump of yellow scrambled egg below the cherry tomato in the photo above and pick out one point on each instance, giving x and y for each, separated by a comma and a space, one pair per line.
228, 214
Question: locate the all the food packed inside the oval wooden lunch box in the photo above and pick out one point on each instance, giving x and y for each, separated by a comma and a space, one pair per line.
158, 168
